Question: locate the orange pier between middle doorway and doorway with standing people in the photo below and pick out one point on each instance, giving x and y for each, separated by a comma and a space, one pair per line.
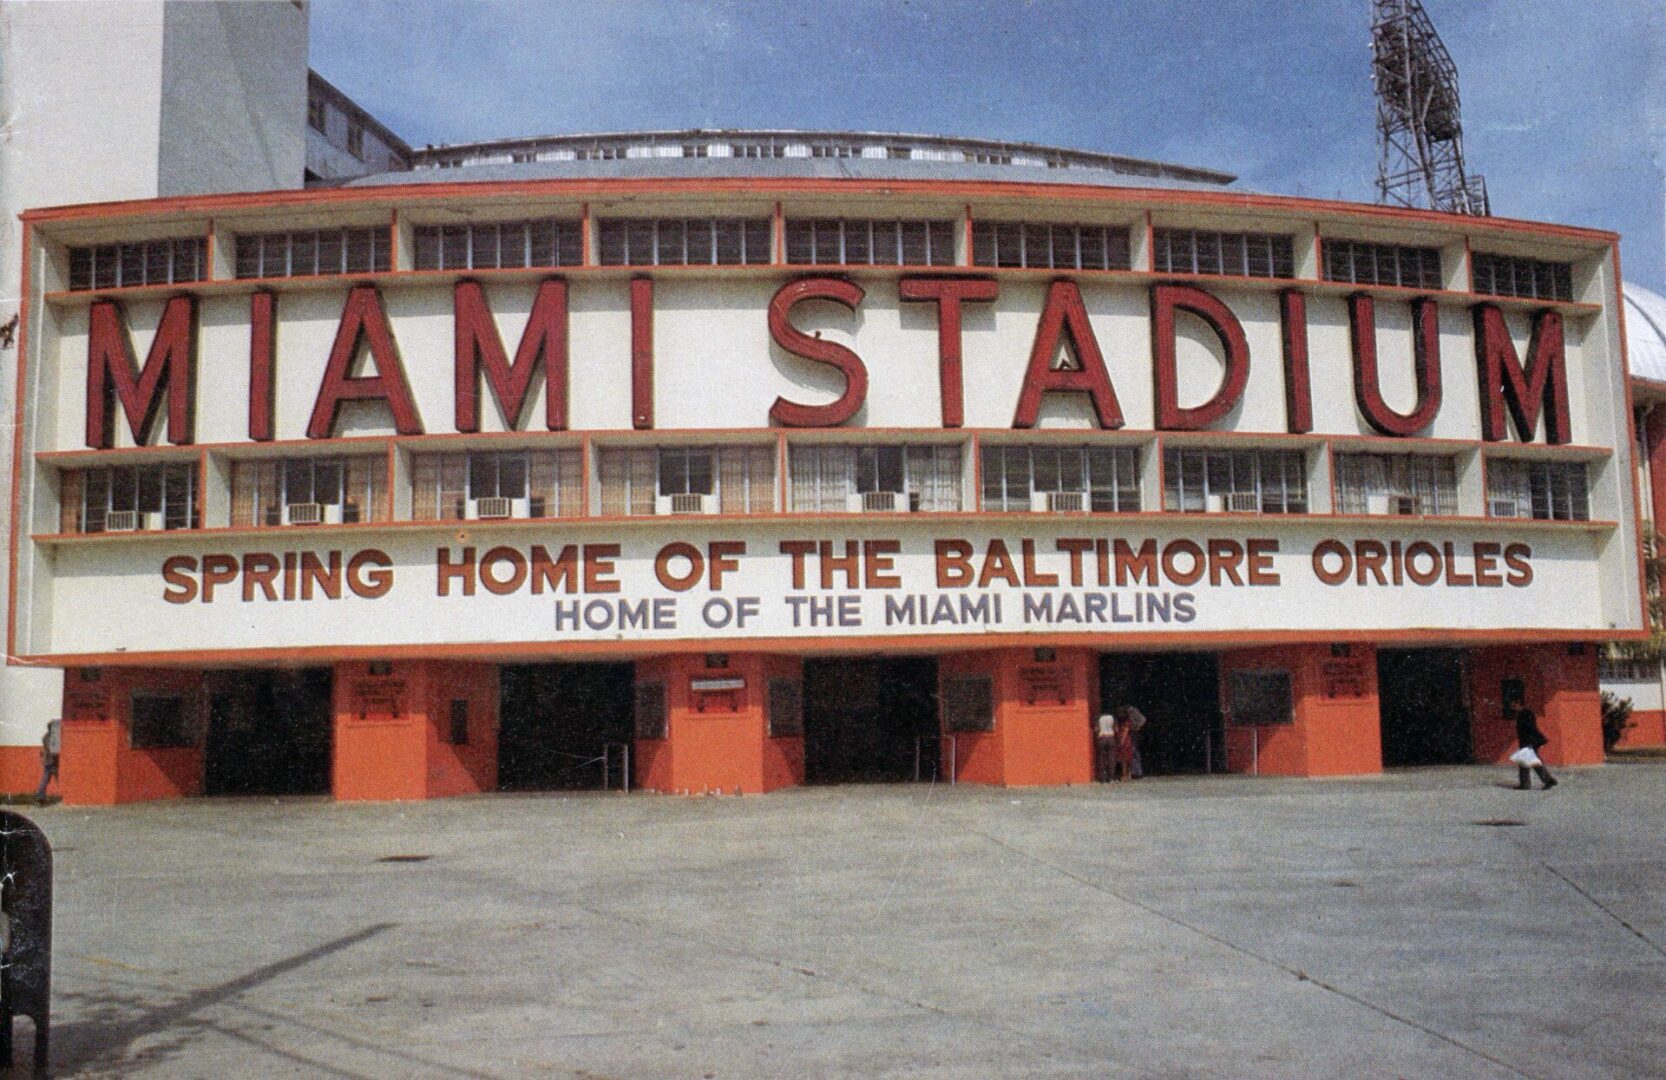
1042, 707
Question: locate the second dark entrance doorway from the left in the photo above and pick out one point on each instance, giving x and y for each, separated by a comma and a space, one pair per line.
556, 721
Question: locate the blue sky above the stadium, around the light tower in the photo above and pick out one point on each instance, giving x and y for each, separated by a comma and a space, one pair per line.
1564, 104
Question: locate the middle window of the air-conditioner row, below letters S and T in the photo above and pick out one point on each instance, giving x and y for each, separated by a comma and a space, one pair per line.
875, 479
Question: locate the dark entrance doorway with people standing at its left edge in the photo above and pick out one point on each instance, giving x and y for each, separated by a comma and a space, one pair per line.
1182, 704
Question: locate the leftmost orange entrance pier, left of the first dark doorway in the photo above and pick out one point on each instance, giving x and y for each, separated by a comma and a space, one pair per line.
109, 759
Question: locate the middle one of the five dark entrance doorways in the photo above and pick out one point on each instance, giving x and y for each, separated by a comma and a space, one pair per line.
864, 719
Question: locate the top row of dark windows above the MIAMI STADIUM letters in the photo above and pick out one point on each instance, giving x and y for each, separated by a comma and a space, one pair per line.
842, 242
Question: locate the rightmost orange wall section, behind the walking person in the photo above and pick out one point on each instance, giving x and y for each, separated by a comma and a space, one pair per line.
1562, 687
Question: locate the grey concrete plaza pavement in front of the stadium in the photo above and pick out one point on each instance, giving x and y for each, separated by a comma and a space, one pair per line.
1189, 927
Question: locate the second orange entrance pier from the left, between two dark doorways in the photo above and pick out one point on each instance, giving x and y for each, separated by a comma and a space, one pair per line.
392, 731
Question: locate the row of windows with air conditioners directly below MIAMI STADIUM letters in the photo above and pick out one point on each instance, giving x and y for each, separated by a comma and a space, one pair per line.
821, 479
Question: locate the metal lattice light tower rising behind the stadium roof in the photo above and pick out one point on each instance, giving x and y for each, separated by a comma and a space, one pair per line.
1420, 132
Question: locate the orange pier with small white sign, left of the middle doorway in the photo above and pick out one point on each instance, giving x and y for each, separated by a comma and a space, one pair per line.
704, 724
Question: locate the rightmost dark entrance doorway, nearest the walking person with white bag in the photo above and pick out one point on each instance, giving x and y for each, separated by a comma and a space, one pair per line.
1425, 706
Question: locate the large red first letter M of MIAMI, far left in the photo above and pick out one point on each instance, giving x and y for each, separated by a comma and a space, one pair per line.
111, 369
